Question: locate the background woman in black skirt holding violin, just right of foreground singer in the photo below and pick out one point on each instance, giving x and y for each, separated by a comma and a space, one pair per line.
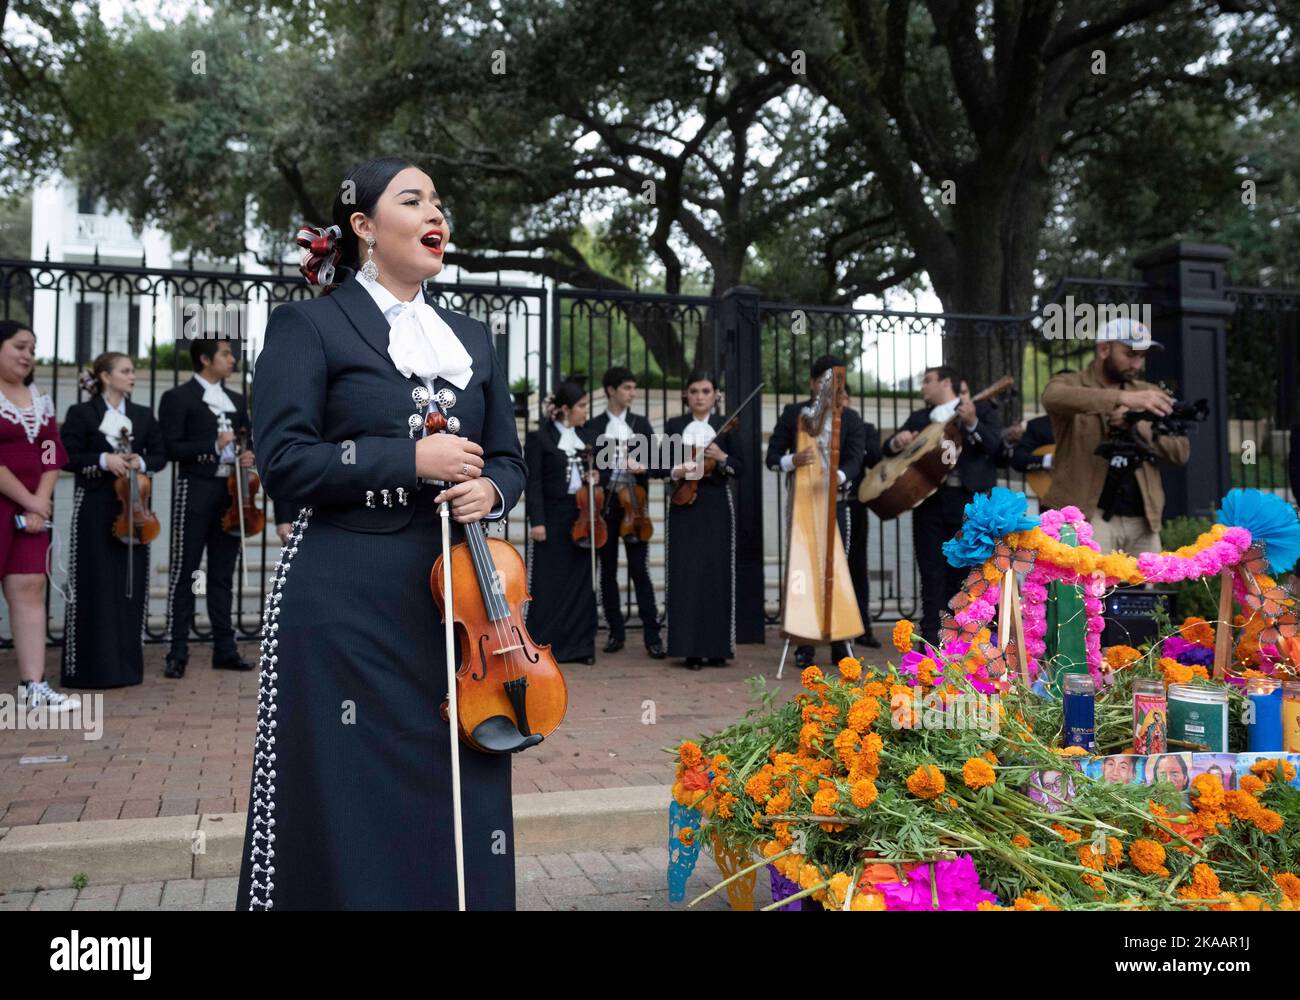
560, 573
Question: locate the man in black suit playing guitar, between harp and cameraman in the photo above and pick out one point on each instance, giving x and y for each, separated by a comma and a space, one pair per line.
939, 517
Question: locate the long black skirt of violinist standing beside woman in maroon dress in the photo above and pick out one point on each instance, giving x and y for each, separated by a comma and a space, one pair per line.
103, 627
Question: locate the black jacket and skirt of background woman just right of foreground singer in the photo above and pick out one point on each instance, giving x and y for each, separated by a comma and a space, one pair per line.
562, 613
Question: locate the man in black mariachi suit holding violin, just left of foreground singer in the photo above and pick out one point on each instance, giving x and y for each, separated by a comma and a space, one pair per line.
194, 415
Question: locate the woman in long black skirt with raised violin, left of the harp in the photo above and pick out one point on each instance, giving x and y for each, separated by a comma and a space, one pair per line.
701, 538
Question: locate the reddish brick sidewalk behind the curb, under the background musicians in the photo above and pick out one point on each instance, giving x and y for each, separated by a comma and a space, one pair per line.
184, 748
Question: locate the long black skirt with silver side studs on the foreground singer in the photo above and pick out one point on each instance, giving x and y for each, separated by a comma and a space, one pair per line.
352, 773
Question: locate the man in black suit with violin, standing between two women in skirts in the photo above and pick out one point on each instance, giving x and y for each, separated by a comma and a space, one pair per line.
613, 432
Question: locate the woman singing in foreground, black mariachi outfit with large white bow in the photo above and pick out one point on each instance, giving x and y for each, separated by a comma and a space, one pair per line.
352, 786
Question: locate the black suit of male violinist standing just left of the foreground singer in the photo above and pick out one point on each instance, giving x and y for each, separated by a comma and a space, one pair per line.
200, 497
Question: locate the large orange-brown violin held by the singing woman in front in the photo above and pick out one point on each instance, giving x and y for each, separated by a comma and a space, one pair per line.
510, 692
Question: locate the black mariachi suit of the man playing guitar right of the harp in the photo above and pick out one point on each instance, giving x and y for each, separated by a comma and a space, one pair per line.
939, 517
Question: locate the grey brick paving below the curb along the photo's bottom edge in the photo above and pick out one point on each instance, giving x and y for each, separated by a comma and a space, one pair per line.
579, 881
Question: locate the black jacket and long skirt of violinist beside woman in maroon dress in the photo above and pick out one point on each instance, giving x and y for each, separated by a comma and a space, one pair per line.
103, 630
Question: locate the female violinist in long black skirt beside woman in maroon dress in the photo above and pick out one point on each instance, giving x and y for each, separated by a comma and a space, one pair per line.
105, 618
